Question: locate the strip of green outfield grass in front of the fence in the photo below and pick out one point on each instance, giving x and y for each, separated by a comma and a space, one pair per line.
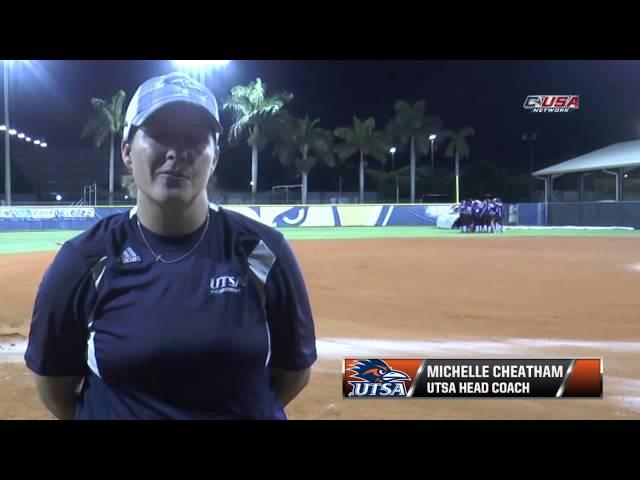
22, 242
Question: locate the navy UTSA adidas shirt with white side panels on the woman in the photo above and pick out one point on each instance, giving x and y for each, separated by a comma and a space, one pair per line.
195, 339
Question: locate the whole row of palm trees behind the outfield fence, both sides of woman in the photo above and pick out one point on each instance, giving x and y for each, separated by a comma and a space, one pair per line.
262, 119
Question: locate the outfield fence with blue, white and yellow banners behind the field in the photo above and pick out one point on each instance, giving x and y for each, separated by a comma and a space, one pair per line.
586, 214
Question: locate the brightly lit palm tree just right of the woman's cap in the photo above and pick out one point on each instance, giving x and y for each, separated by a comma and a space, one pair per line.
253, 110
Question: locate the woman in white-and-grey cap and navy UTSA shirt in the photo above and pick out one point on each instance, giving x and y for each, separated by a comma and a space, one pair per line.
177, 309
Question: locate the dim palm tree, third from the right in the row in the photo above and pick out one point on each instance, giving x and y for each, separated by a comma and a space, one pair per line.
365, 139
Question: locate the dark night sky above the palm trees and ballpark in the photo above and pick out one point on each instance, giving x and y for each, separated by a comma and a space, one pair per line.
51, 99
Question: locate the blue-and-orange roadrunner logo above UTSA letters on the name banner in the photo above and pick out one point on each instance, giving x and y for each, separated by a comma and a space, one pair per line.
376, 379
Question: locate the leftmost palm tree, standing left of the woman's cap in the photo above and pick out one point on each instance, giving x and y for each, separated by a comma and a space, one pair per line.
108, 121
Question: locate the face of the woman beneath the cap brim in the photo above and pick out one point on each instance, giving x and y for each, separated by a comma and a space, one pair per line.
172, 155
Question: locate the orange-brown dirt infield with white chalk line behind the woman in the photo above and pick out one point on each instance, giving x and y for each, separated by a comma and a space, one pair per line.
498, 297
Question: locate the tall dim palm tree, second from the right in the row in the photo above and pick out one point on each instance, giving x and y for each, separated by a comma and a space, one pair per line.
411, 126
